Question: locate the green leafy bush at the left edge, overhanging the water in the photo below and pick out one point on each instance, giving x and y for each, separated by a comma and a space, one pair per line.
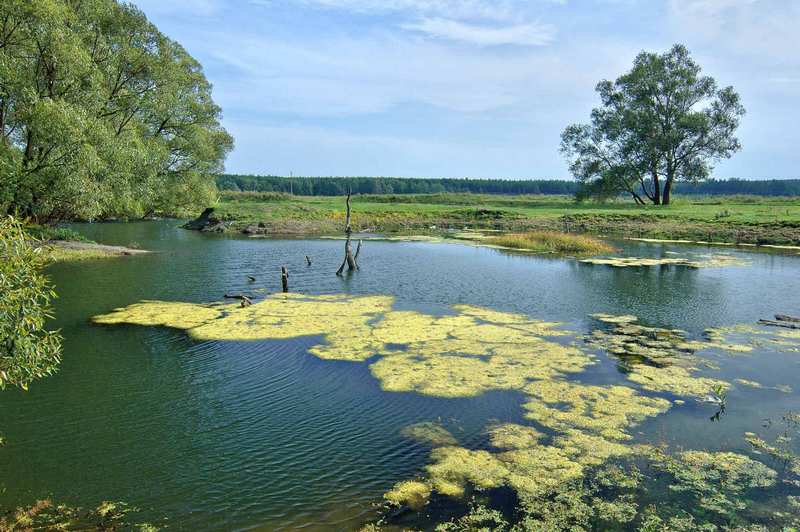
27, 350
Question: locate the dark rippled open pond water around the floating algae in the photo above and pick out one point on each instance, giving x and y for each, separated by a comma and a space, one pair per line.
234, 435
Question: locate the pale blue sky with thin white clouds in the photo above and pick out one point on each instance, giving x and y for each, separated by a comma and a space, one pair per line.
470, 88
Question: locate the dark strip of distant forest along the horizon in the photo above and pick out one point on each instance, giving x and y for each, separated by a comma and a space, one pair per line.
336, 186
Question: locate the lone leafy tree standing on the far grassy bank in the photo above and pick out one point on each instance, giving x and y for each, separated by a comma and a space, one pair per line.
660, 123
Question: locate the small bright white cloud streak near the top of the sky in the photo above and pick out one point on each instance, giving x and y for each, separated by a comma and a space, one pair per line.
533, 34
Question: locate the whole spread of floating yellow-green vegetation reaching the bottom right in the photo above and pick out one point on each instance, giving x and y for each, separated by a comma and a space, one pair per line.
572, 467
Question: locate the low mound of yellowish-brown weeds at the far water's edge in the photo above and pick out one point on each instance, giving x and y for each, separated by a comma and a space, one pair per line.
552, 242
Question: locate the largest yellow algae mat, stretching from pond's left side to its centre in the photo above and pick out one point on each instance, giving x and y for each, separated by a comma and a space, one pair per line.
460, 355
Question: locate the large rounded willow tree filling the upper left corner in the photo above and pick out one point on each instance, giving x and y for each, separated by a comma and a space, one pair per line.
101, 114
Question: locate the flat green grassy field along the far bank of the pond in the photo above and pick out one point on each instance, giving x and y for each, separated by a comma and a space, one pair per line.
735, 219
